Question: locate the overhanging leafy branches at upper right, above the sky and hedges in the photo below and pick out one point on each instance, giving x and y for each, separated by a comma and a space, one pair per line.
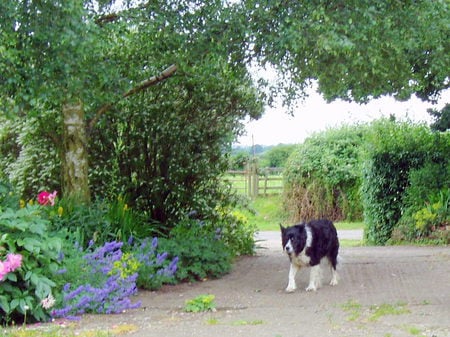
355, 50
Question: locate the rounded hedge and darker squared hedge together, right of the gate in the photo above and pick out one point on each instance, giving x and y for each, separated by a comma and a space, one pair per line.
397, 172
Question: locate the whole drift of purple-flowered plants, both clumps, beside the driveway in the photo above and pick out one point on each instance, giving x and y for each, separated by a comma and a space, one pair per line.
108, 278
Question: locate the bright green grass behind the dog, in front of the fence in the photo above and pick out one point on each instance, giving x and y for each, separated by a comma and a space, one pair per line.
269, 214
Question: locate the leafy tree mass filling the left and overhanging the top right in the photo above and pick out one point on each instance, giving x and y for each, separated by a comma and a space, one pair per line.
87, 66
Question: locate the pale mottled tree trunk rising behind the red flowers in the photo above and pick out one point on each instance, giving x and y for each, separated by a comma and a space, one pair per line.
75, 182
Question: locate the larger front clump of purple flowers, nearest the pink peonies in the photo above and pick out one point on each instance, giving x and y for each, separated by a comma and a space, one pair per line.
105, 285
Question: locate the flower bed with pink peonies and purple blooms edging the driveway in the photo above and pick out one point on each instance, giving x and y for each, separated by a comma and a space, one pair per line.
75, 260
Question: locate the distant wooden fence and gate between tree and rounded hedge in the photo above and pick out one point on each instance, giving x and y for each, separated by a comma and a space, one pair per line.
253, 181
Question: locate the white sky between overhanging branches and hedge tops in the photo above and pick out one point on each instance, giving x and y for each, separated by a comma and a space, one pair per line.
276, 126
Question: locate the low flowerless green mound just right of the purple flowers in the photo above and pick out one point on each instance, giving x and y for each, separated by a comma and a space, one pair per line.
201, 253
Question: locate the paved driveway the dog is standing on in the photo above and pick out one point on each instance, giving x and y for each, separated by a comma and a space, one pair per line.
383, 291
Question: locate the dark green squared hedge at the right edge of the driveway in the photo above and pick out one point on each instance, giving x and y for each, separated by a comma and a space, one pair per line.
400, 178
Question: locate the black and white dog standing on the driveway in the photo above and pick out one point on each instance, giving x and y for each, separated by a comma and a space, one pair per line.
306, 245
